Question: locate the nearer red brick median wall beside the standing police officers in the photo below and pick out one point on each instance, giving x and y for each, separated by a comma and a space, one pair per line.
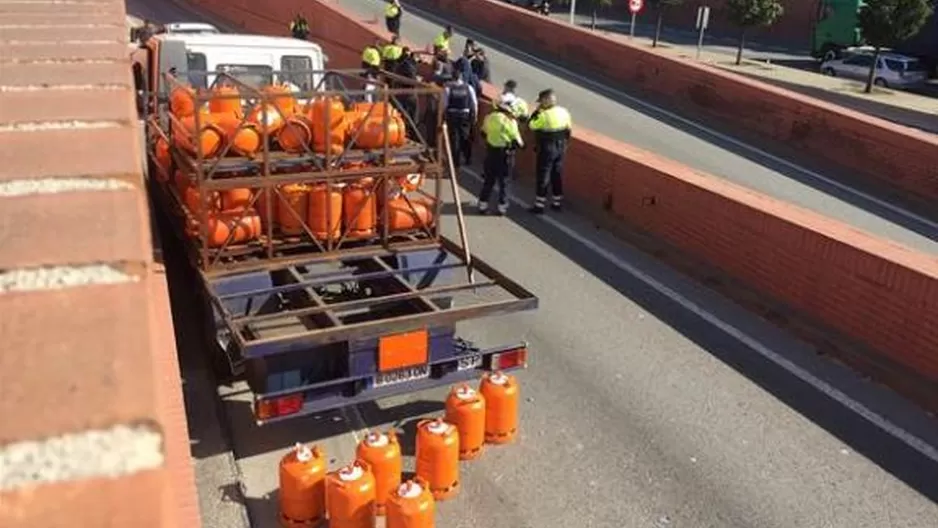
882, 295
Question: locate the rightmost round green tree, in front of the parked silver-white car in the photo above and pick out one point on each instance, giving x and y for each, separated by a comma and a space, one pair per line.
885, 23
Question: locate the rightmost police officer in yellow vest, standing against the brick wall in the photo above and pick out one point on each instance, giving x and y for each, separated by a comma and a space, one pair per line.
551, 125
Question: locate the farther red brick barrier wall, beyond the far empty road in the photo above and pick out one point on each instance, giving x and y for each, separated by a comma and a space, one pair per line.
899, 156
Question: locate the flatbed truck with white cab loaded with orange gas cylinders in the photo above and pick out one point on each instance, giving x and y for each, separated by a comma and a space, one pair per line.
312, 322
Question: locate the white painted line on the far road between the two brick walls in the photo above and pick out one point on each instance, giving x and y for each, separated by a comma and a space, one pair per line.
671, 115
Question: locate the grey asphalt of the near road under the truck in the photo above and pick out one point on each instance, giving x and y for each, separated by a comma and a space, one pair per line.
649, 402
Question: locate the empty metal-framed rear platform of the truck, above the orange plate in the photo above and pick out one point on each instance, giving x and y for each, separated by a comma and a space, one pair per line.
281, 309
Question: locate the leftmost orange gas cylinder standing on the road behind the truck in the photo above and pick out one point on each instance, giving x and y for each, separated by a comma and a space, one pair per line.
303, 487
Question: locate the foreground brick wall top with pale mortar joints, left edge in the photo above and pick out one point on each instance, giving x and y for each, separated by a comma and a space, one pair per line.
93, 431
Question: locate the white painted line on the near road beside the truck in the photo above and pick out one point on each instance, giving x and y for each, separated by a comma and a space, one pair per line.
822, 386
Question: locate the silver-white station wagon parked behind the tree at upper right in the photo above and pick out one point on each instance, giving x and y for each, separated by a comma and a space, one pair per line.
892, 70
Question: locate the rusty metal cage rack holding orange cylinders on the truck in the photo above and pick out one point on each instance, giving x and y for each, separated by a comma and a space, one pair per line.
267, 172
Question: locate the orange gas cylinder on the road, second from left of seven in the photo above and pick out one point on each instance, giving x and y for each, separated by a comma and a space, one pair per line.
350, 497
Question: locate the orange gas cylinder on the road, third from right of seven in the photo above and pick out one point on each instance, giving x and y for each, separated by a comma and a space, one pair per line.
438, 457
